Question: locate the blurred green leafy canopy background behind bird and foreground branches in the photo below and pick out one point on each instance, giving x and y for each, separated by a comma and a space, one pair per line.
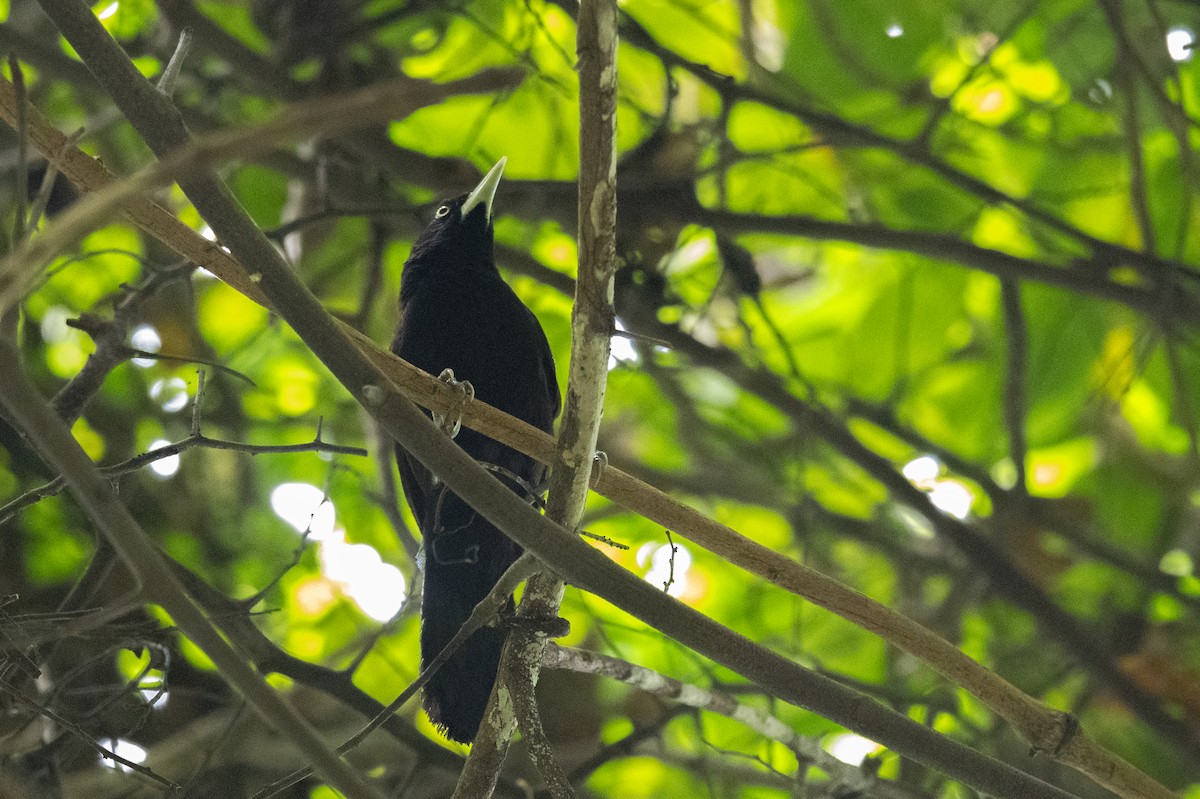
911, 292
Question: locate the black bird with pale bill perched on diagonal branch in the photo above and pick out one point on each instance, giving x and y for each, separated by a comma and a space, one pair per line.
458, 314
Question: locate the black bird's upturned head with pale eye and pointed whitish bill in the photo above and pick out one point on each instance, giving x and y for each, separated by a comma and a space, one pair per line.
460, 237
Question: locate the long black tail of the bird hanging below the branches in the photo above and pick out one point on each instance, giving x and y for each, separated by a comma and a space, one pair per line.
464, 558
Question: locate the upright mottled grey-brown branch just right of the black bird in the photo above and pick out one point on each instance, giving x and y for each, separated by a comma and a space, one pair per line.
592, 326
